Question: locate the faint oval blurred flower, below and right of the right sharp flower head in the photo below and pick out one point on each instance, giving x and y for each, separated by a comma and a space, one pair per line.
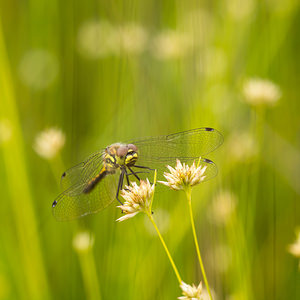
222, 207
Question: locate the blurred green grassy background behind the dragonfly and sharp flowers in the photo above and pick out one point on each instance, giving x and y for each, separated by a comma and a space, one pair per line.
99, 72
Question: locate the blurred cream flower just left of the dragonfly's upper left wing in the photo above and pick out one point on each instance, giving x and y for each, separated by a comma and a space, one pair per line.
49, 142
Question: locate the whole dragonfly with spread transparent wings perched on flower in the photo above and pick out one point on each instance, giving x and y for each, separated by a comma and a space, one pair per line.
95, 183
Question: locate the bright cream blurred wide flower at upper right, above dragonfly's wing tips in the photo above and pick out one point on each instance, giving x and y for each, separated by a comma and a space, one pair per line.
259, 91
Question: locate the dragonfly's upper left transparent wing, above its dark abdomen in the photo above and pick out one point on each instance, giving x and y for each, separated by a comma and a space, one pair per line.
82, 173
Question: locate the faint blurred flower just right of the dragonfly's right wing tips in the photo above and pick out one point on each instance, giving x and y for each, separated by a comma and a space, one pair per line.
241, 146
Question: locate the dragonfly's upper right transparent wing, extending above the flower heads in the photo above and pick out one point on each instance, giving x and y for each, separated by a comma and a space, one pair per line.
187, 144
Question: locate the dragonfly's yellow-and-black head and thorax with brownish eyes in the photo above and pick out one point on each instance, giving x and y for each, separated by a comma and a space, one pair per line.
117, 155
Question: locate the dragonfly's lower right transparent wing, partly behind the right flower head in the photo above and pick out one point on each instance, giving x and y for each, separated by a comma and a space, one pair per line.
161, 166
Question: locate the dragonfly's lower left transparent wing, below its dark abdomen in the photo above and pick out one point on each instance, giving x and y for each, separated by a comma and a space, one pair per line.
74, 203
